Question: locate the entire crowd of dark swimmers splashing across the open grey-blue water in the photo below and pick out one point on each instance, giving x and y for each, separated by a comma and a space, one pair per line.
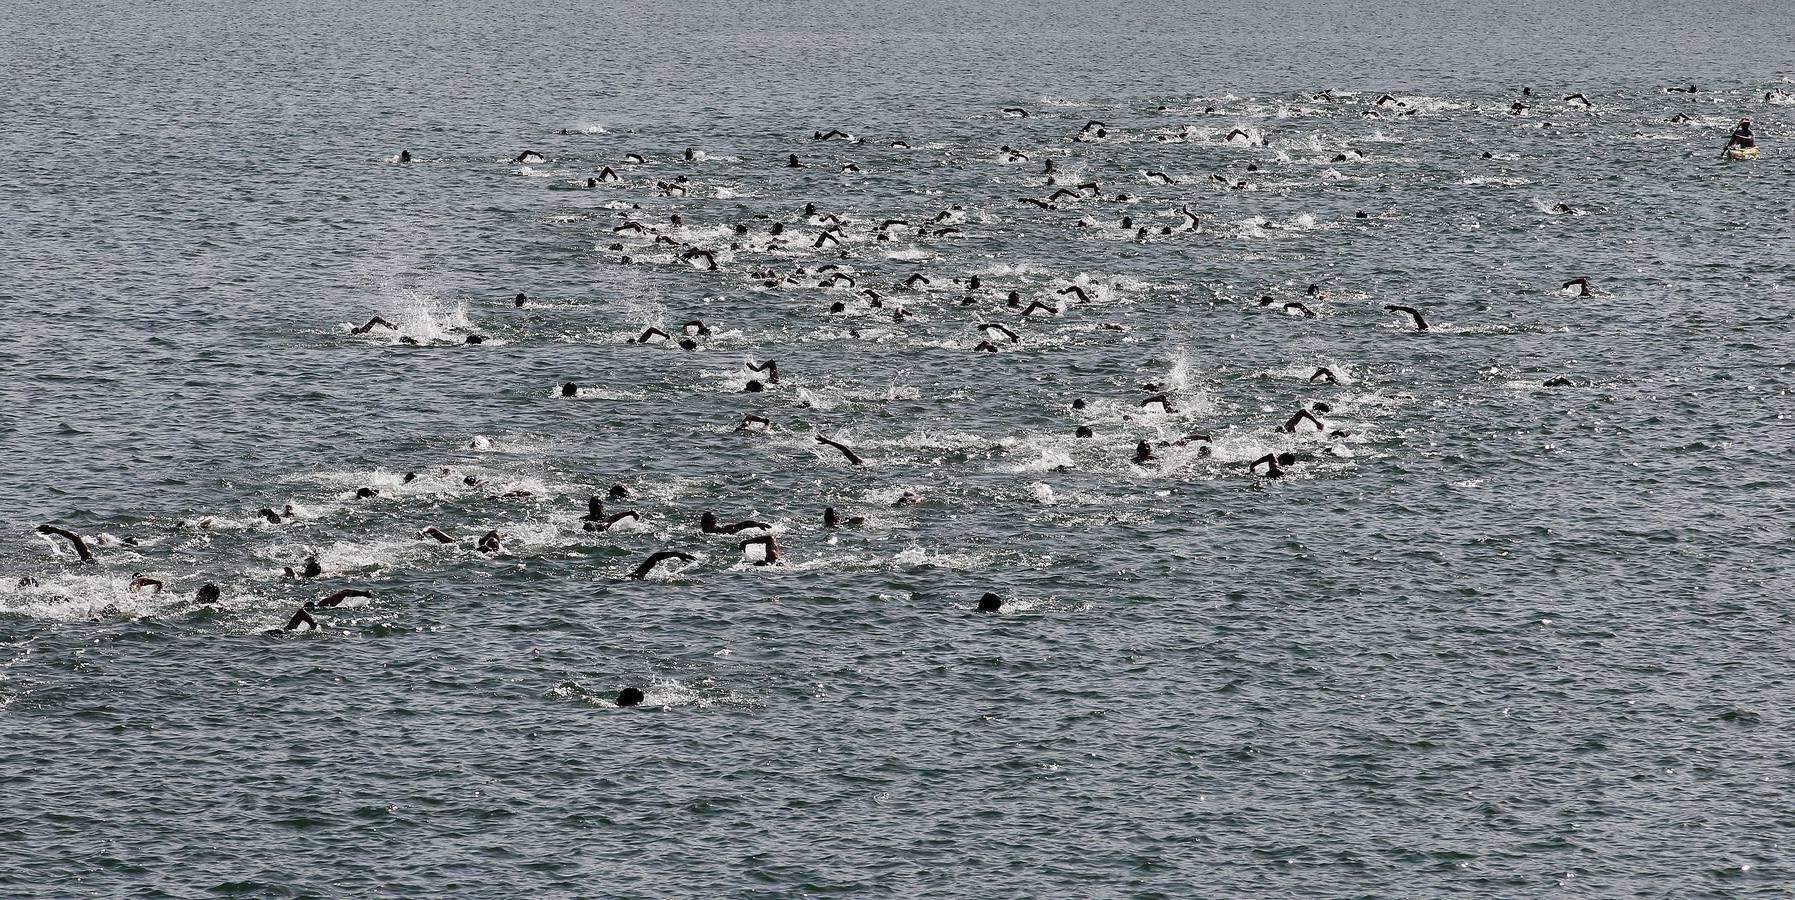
837, 242
